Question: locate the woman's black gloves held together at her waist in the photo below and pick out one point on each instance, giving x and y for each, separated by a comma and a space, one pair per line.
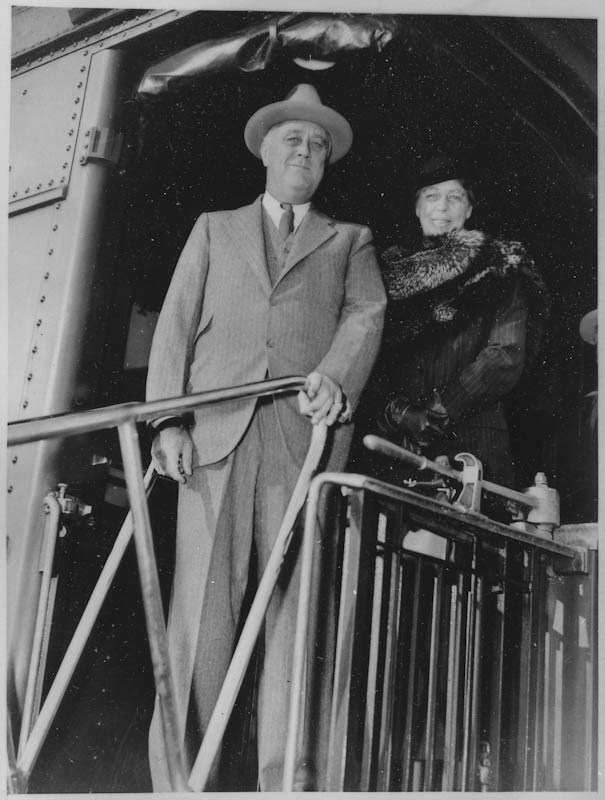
423, 423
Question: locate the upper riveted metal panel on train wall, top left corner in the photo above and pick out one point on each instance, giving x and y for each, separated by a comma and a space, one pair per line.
46, 105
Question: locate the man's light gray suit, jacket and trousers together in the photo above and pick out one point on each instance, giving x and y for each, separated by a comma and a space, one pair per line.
223, 323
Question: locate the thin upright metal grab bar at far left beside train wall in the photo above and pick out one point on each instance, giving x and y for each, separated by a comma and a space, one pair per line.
37, 662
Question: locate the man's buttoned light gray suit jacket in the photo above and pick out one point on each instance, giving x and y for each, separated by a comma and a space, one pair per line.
224, 324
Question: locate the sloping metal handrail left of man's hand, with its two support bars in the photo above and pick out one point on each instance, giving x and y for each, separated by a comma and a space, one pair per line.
124, 417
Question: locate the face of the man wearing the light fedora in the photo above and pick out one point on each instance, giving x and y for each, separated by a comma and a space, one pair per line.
294, 154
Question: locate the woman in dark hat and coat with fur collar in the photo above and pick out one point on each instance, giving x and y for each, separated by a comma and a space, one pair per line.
464, 320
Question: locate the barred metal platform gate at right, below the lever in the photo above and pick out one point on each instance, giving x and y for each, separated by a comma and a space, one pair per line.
439, 669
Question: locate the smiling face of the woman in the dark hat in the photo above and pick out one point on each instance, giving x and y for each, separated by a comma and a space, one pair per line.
443, 207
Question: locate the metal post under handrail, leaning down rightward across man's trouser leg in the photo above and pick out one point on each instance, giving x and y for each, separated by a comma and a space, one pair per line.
152, 603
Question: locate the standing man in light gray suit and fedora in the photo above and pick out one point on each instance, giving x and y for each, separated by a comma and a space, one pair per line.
252, 299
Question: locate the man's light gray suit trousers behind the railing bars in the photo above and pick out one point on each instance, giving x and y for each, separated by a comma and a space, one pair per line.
221, 507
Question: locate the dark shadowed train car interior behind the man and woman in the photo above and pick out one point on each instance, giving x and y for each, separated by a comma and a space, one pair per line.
452, 84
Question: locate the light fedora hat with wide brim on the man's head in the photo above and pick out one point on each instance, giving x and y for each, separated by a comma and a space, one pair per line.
302, 103
